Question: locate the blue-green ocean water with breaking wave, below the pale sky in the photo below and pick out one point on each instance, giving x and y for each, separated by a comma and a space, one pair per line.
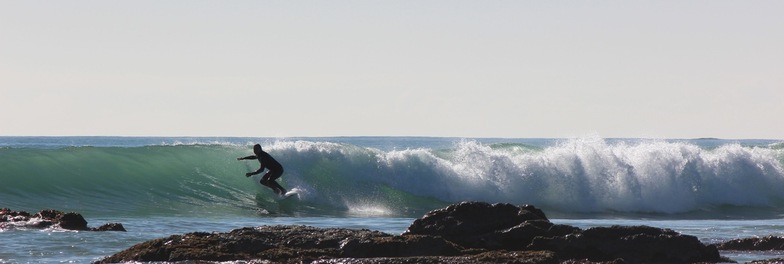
714, 189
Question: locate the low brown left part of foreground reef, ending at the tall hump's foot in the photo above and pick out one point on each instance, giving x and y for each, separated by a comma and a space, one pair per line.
284, 243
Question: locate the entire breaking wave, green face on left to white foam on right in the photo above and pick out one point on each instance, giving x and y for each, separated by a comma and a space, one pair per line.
574, 176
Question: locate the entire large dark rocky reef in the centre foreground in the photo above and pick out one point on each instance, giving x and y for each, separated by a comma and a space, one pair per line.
467, 232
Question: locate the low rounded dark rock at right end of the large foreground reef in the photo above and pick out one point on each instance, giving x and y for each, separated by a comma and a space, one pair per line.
634, 244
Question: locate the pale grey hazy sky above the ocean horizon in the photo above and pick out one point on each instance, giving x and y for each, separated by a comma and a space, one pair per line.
664, 69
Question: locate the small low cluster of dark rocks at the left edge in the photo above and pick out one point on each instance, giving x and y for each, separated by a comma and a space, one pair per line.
51, 218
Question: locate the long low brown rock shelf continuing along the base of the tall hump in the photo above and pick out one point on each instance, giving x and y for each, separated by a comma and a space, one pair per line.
288, 244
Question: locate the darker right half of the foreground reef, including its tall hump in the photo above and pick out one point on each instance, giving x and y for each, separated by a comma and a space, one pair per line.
505, 226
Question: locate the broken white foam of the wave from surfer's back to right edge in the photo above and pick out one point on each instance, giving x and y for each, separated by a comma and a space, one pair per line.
576, 175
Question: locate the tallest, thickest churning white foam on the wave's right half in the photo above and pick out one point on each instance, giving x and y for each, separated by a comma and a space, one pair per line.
588, 174
